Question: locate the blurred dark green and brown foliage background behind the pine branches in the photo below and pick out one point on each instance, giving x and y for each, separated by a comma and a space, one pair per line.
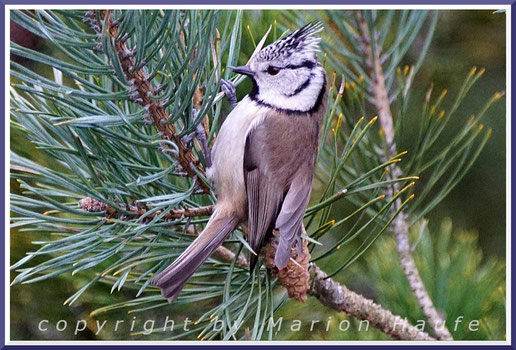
466, 231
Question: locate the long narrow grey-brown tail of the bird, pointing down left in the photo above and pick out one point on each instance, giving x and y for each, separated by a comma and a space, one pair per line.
174, 277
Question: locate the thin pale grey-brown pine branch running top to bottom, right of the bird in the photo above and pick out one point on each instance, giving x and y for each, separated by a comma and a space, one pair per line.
400, 224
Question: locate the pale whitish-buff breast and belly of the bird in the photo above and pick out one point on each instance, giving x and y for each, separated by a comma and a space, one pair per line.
227, 171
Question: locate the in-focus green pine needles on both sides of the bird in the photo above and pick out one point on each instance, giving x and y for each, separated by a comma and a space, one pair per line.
106, 142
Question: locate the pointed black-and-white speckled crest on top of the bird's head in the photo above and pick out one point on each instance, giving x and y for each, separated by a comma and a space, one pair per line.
302, 43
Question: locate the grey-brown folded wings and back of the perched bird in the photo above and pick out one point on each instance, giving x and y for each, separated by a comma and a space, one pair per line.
278, 184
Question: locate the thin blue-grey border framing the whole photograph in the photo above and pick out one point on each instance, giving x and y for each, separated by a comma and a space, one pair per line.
294, 345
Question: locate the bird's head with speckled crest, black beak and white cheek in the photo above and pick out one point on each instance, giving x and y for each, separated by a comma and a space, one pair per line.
286, 74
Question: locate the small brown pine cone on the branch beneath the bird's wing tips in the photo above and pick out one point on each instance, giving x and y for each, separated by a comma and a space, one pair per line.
295, 276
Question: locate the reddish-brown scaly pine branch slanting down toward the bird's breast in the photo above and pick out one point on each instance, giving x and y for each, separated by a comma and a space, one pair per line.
142, 89
